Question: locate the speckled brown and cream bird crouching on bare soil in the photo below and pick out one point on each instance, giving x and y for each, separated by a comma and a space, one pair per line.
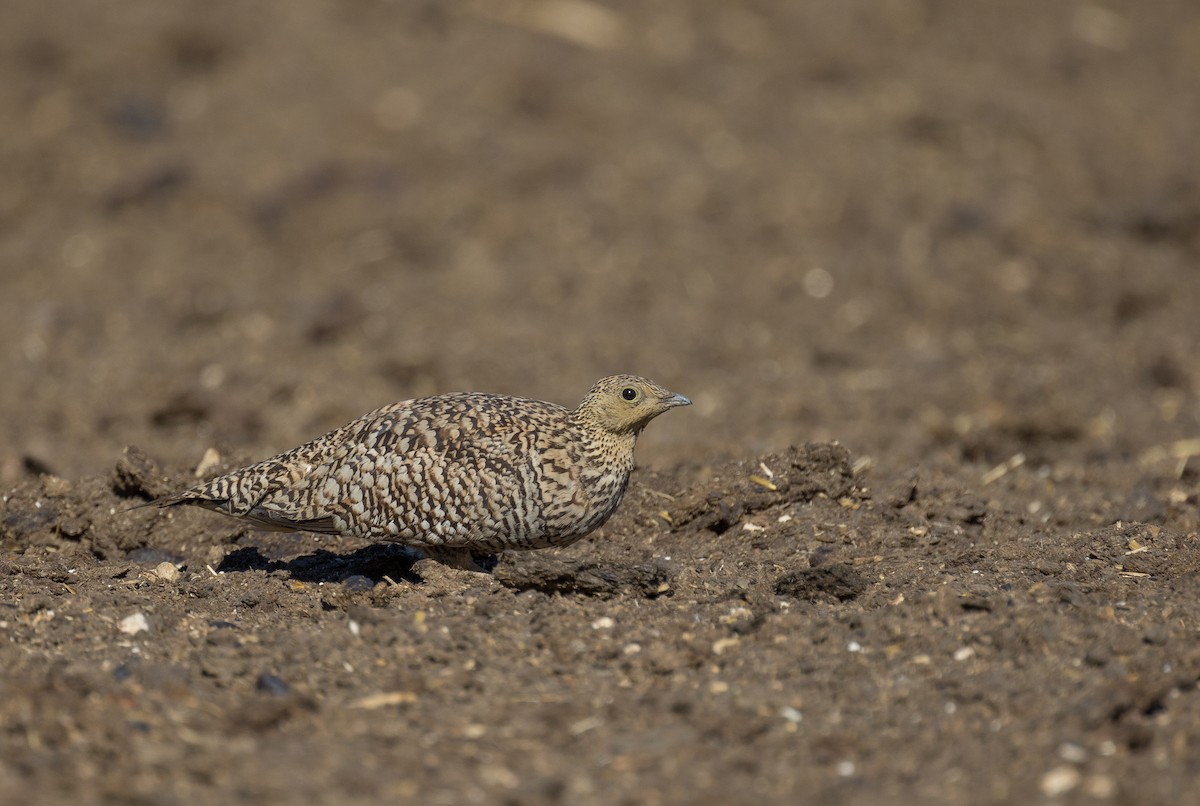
457, 476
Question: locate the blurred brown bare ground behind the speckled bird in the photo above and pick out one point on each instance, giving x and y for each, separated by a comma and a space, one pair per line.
922, 228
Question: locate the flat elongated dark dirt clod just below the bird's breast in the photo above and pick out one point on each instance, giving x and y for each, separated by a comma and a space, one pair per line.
587, 579
